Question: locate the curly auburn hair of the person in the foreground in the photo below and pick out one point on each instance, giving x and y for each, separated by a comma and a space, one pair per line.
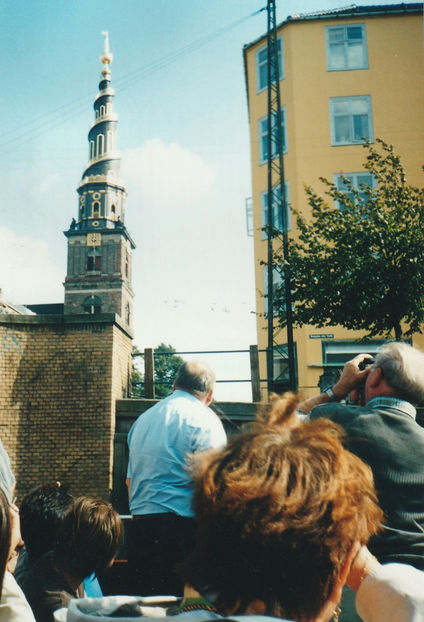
278, 509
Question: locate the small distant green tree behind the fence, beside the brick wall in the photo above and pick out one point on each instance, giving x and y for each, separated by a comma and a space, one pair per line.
166, 367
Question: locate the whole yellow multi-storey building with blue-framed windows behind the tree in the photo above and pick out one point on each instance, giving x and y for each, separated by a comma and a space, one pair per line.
344, 74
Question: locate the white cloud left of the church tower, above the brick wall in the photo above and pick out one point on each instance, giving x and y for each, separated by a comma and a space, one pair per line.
28, 274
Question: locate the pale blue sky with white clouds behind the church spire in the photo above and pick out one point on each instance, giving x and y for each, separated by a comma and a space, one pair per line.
184, 138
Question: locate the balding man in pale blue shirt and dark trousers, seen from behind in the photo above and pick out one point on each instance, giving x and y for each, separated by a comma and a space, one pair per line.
161, 443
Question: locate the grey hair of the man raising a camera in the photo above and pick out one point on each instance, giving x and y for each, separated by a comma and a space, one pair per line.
403, 370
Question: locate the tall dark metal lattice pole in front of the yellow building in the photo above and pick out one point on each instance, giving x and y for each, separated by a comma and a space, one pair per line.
277, 199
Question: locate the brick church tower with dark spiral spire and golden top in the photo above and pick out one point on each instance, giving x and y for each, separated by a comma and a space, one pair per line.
100, 248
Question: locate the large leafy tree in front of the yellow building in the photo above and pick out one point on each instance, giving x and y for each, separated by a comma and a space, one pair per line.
360, 264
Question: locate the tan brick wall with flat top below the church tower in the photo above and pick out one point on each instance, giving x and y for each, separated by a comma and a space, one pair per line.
59, 379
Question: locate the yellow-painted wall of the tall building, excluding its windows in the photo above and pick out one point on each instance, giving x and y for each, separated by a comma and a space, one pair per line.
394, 81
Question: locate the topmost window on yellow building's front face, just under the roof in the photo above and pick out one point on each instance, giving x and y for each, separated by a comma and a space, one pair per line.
346, 47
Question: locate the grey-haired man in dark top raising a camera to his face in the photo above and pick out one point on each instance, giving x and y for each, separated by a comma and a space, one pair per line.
384, 433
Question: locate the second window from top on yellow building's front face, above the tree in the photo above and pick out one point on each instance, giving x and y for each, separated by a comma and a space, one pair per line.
350, 120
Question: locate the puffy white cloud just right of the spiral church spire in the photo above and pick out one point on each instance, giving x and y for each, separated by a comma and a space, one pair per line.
163, 173
